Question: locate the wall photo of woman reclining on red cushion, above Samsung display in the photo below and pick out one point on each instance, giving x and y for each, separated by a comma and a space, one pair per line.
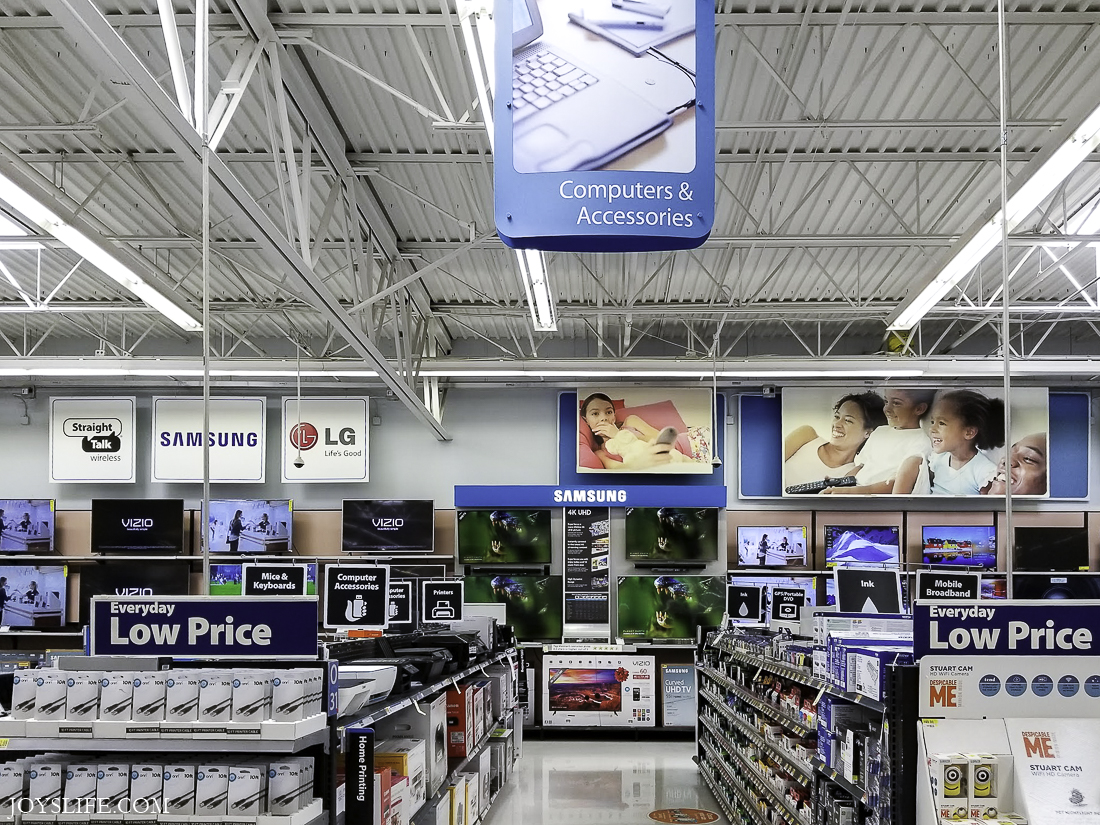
661, 431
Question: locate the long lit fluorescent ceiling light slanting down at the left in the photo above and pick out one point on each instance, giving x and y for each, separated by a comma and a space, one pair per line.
94, 251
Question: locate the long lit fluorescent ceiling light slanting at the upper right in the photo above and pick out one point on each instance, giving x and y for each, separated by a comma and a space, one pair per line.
1042, 178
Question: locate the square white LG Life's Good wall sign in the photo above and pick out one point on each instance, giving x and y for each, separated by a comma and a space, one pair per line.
325, 441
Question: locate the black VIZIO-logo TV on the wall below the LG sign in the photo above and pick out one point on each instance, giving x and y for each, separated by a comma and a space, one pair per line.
388, 526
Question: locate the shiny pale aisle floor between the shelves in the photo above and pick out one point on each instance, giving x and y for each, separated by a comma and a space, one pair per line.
587, 782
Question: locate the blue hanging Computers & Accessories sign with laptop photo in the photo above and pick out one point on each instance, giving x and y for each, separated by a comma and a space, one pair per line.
607, 140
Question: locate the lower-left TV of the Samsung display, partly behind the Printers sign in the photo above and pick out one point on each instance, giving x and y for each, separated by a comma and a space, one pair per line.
533, 603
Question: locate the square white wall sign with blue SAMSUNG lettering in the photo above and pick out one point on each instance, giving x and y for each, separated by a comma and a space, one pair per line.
237, 438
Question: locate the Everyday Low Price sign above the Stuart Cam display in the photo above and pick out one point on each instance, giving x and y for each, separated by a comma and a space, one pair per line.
1007, 629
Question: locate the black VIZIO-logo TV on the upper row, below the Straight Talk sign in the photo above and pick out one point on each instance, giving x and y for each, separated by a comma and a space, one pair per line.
138, 526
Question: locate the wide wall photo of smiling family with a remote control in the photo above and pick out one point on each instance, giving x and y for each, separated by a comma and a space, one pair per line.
918, 441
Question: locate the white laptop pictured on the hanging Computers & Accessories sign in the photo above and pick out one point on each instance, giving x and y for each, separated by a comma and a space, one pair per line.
566, 116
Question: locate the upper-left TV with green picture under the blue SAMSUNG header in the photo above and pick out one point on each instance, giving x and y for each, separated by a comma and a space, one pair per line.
504, 536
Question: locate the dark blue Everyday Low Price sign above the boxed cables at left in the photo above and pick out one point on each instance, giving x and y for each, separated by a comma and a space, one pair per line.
205, 628
